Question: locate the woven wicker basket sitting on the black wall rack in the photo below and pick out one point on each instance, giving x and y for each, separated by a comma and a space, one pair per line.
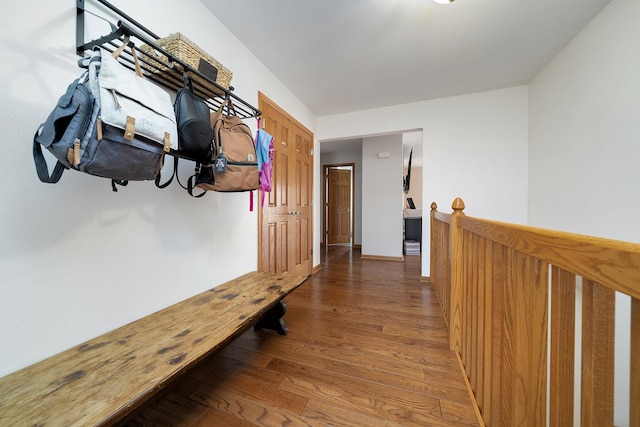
191, 54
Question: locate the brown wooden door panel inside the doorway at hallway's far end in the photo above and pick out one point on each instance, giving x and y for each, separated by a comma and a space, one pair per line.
338, 206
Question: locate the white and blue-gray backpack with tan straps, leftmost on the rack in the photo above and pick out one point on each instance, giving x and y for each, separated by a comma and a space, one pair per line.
111, 122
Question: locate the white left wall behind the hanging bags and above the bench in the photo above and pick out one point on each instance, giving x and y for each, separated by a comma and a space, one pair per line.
76, 259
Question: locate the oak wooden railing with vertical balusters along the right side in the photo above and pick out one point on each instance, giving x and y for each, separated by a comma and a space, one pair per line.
501, 285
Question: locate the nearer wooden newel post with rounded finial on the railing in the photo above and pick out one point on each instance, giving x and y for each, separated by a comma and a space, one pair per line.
455, 321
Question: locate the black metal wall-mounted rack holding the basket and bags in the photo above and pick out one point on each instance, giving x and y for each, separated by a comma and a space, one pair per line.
166, 73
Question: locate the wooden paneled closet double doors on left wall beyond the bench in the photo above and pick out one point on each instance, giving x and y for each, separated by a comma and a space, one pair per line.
285, 221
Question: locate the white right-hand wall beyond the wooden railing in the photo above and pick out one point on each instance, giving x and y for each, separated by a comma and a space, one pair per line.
584, 150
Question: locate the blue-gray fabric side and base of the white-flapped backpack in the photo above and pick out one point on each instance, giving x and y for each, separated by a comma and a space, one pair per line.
75, 134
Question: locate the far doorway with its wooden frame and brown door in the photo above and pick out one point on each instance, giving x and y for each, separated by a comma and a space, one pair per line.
338, 201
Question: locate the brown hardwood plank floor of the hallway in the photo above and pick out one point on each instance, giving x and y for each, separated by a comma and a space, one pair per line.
367, 346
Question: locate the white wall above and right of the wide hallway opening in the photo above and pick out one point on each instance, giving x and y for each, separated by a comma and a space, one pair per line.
474, 147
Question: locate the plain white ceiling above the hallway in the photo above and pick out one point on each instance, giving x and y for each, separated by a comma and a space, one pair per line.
339, 56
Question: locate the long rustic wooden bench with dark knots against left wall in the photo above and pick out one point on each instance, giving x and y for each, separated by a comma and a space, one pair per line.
103, 380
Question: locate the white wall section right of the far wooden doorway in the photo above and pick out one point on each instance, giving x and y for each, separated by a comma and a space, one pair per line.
382, 197
